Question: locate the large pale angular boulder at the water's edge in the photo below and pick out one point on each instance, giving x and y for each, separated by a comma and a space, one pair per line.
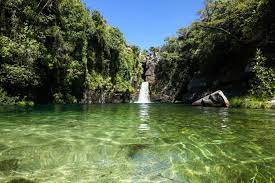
216, 99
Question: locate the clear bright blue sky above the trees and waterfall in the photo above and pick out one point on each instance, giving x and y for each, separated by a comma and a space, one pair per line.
147, 23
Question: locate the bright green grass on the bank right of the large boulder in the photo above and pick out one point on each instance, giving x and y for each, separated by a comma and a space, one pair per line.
250, 102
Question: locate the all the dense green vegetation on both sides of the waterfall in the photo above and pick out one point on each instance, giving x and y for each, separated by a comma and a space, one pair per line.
56, 50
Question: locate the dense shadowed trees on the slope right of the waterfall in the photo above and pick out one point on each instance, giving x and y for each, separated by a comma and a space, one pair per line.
231, 47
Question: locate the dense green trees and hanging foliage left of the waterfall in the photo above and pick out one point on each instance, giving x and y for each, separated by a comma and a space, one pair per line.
54, 50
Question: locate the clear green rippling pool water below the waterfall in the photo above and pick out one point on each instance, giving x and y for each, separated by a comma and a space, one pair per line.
137, 143
